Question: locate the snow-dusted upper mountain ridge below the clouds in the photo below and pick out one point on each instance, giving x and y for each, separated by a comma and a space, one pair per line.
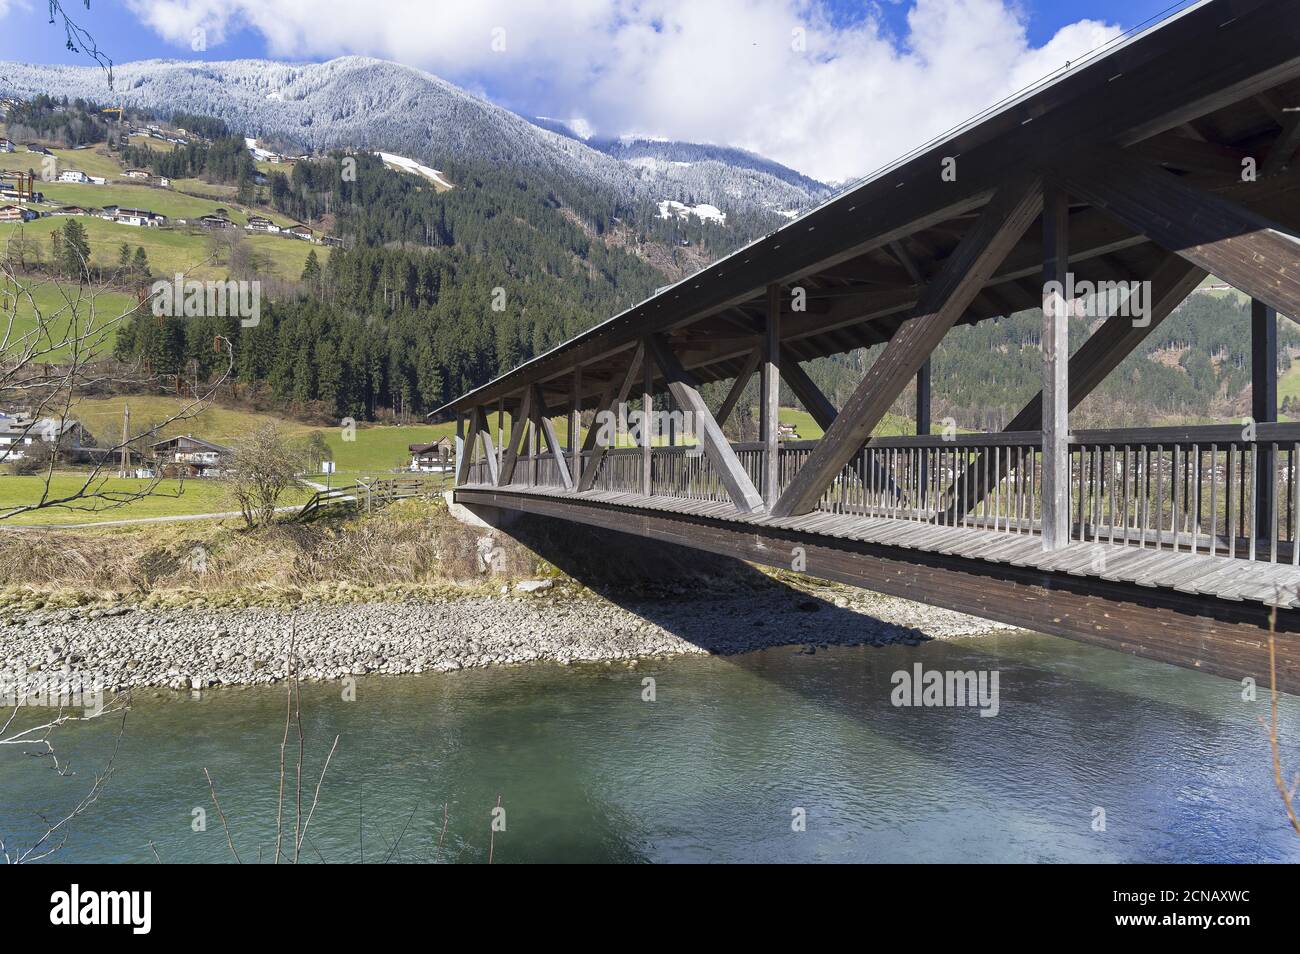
363, 103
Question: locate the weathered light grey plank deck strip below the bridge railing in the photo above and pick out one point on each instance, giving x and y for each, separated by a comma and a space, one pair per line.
1223, 578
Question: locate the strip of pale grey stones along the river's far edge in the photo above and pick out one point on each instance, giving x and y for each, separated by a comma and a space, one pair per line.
198, 648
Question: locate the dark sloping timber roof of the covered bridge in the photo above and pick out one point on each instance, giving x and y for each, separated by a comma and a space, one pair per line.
1199, 94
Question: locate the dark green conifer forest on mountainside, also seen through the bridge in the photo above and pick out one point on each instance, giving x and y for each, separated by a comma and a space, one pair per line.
437, 292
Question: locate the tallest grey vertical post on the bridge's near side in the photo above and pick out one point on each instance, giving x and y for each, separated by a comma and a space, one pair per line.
1056, 371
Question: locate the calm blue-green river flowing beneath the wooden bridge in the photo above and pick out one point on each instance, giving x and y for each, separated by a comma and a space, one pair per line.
722, 766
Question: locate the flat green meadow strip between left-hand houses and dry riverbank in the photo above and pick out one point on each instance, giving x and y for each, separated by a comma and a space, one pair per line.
170, 498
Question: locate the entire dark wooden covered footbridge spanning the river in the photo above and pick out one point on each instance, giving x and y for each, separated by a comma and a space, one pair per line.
1145, 167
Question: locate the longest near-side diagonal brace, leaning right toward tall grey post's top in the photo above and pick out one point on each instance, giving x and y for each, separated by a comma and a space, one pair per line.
943, 302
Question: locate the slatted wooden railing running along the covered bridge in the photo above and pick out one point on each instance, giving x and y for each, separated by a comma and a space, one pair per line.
1223, 491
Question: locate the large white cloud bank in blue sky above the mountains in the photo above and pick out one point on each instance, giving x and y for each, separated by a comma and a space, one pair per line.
726, 72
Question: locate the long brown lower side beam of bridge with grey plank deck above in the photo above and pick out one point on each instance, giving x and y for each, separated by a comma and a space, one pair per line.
1189, 617
